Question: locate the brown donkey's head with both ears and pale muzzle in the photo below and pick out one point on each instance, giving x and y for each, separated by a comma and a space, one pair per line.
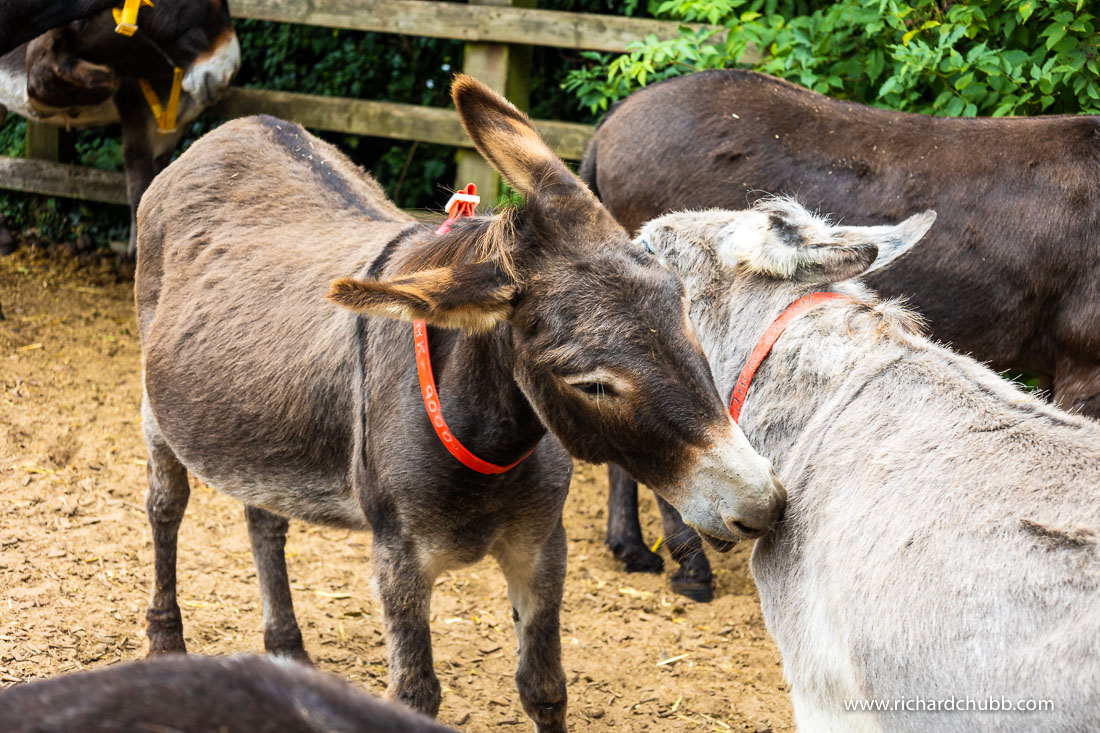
600, 341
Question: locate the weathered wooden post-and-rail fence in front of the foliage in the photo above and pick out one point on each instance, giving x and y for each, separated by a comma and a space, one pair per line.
499, 36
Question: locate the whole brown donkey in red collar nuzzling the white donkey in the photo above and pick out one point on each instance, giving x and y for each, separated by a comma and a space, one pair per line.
543, 319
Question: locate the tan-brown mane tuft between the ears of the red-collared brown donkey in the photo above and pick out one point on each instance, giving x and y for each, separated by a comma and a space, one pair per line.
471, 240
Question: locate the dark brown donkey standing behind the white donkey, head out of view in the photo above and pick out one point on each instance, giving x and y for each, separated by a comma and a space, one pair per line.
1010, 273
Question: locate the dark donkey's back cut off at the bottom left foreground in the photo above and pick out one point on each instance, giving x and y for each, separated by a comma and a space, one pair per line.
203, 695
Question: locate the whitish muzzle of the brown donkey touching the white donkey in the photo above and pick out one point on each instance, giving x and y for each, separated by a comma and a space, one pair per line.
731, 494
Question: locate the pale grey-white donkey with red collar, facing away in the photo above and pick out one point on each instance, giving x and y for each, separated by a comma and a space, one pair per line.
938, 563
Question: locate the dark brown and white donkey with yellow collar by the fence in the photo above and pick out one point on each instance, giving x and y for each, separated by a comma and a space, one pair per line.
85, 74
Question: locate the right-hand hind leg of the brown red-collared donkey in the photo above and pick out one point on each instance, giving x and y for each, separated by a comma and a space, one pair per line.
268, 535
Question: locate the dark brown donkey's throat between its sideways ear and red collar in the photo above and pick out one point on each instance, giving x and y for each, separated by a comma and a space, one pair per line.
481, 402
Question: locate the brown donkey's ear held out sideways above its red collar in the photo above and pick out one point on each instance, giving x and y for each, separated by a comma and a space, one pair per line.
475, 298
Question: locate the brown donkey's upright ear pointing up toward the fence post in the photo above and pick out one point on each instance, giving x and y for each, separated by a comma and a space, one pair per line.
508, 139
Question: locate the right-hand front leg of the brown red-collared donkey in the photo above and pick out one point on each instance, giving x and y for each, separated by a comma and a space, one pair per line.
536, 576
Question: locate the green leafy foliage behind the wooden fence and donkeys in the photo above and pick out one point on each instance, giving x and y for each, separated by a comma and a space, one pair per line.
963, 58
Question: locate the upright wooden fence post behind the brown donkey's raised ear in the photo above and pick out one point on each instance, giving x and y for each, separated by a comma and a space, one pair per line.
507, 69
